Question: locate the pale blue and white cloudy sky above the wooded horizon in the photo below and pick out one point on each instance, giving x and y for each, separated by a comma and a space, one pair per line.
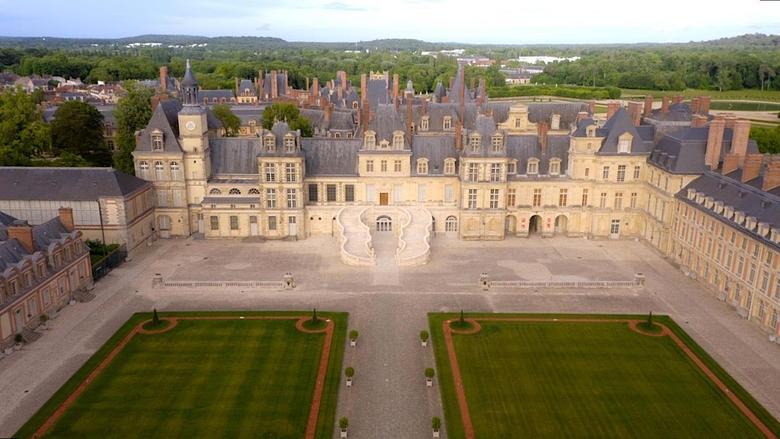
466, 21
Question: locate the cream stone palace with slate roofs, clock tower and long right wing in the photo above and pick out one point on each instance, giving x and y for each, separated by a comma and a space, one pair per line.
455, 164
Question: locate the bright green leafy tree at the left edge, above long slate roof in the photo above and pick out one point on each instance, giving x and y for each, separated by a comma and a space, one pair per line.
23, 133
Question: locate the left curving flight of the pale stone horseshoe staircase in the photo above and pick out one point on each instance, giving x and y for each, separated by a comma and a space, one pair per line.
355, 237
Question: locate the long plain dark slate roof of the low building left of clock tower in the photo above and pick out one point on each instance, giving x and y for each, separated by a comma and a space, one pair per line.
66, 184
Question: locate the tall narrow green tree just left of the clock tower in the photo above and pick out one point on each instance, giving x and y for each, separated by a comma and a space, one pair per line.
132, 113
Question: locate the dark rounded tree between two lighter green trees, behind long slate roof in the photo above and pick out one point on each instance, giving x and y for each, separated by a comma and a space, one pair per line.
77, 128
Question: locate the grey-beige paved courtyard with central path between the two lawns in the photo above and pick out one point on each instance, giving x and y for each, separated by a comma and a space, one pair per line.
389, 306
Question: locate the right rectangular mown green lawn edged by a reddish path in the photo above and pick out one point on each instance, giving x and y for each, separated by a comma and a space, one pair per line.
545, 378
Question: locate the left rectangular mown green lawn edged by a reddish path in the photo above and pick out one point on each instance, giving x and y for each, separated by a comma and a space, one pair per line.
210, 375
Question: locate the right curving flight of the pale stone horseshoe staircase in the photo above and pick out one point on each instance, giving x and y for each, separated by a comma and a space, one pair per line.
414, 243
